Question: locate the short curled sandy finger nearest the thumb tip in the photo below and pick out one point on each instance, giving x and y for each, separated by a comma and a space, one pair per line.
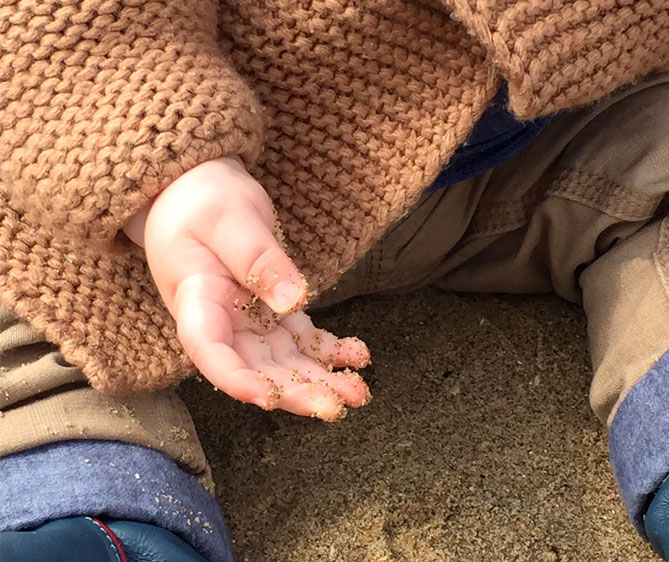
324, 346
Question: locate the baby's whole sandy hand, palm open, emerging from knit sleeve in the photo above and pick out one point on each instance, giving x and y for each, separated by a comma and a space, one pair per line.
229, 285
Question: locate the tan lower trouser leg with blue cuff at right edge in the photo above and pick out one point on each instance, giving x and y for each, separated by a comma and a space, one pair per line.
626, 298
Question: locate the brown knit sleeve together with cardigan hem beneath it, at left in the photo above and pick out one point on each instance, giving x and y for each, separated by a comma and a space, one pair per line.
102, 104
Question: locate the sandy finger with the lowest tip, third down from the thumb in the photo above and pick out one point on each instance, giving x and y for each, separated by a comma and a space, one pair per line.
293, 394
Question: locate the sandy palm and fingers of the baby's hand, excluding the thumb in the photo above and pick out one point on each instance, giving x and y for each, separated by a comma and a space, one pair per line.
271, 360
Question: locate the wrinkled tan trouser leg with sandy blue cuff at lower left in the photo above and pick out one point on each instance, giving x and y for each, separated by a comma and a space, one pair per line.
66, 450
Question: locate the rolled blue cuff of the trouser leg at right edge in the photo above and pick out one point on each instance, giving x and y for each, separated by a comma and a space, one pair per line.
639, 441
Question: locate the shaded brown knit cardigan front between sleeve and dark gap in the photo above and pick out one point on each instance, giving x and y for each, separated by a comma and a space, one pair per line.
364, 101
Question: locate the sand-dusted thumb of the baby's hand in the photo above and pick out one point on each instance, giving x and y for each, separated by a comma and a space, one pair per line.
245, 244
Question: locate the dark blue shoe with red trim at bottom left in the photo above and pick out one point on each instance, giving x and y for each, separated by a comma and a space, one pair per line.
86, 539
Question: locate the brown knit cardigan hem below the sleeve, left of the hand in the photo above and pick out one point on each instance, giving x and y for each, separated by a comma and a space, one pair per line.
98, 304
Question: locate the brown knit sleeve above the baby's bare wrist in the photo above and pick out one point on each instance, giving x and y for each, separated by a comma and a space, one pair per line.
105, 102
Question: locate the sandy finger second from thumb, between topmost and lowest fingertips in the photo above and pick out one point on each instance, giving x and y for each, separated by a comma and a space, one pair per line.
347, 384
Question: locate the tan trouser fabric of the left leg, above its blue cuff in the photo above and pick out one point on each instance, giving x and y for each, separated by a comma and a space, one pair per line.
45, 400
